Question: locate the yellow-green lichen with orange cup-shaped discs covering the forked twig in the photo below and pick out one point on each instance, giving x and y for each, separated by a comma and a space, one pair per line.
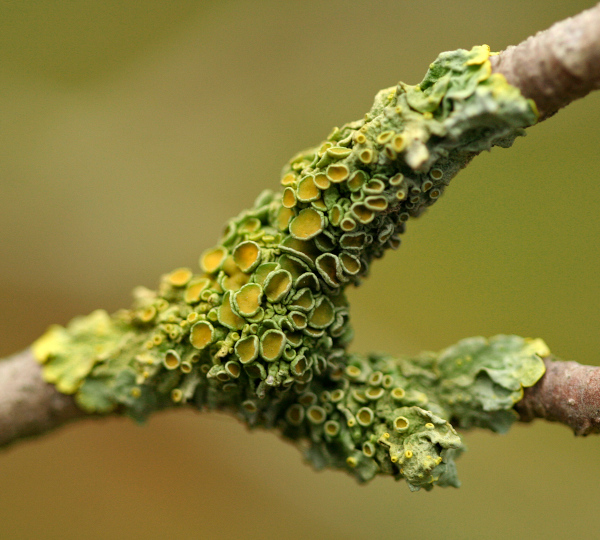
263, 331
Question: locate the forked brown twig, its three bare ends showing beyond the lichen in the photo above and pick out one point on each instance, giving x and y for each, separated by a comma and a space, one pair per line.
553, 68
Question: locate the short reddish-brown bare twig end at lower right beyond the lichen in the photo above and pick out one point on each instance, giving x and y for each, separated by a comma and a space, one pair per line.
568, 393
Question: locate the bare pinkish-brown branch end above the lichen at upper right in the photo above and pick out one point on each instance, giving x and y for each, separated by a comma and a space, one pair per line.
556, 66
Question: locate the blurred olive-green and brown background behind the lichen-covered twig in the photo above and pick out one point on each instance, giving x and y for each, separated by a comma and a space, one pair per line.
130, 131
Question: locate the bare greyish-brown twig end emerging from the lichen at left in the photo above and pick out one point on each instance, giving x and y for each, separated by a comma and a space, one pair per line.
28, 405
